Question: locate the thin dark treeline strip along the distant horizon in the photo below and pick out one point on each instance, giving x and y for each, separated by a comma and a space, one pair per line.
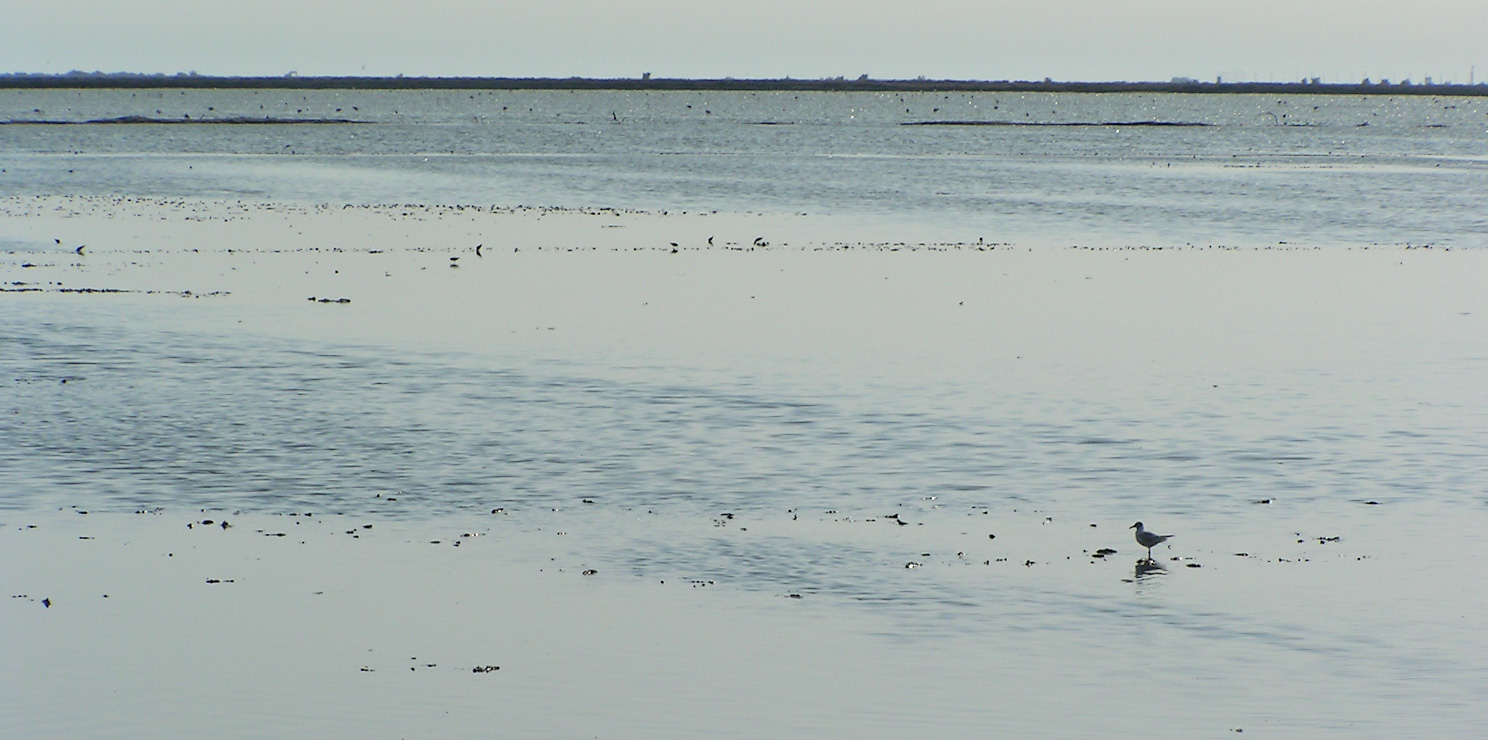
78, 80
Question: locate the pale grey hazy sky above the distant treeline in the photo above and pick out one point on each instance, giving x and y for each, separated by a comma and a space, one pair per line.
1338, 41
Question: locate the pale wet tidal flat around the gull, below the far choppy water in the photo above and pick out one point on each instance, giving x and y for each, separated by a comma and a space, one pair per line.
804, 482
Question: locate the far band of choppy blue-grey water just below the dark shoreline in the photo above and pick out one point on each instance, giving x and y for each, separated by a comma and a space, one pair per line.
1258, 170
